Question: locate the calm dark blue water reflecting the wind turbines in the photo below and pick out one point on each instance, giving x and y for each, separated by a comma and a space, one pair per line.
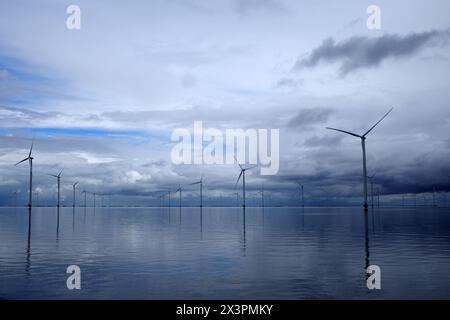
278, 253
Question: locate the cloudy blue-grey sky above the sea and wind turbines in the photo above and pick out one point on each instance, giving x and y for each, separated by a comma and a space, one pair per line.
101, 102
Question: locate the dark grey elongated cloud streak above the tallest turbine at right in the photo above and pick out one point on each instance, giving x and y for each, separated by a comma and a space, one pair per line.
367, 52
